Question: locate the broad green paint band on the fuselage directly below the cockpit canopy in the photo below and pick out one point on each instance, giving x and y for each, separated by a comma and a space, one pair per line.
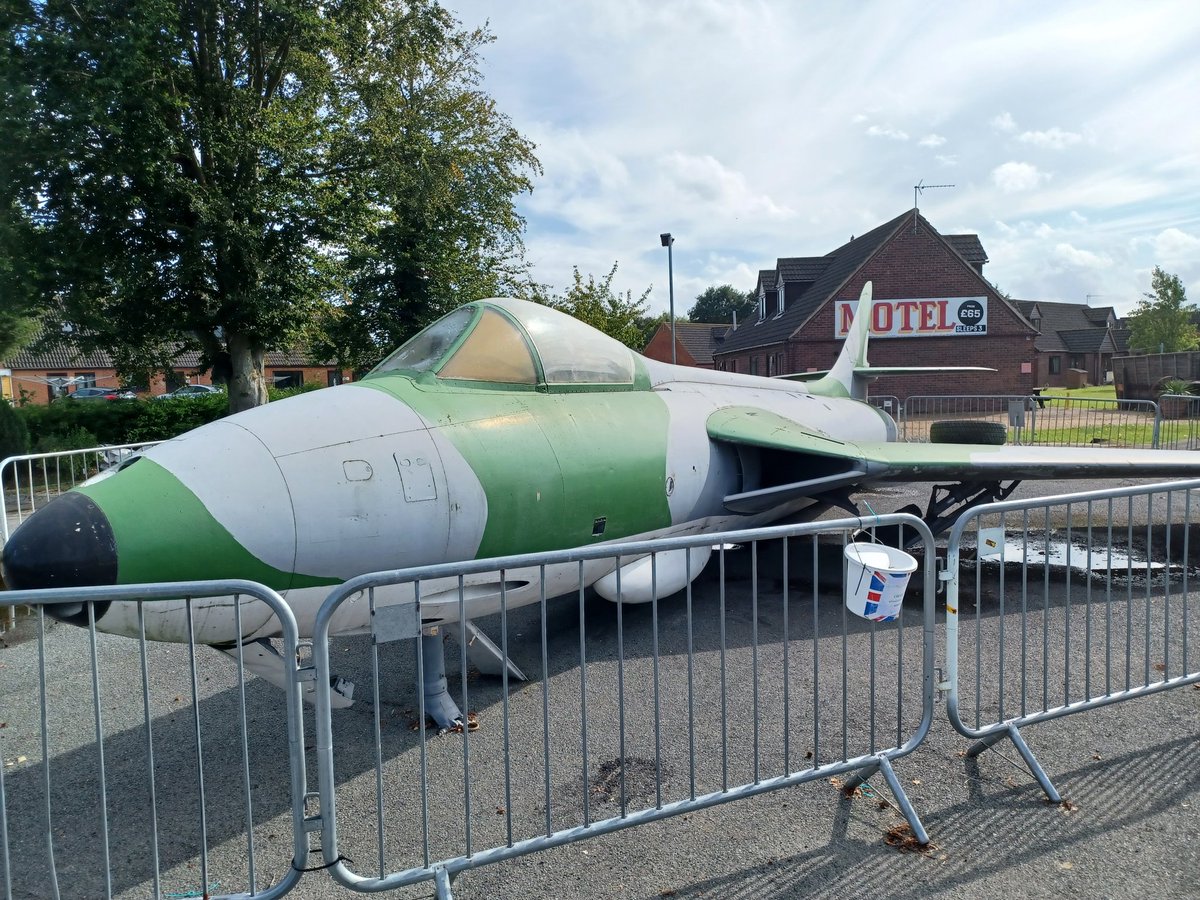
555, 471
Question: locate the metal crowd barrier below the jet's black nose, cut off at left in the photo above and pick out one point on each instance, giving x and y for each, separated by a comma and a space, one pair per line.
101, 796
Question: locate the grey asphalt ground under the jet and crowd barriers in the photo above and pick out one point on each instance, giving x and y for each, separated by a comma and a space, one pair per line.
1129, 772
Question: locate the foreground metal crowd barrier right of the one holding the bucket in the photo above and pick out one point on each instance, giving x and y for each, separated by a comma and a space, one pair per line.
1099, 627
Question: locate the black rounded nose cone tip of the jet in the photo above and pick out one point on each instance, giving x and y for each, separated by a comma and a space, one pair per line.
67, 544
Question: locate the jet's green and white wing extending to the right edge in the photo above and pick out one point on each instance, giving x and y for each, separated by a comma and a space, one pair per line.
824, 463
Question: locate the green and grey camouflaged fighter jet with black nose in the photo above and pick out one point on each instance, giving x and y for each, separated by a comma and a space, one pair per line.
502, 429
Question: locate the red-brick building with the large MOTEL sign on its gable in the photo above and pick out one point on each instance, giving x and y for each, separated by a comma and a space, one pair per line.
933, 308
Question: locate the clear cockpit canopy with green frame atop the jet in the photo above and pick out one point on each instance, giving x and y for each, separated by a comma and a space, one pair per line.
514, 343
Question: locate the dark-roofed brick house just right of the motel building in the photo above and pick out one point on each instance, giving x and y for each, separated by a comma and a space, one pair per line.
1073, 338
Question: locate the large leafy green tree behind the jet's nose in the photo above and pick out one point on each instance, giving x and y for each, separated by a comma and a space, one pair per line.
242, 177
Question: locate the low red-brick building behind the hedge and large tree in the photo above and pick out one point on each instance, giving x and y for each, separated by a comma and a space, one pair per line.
41, 377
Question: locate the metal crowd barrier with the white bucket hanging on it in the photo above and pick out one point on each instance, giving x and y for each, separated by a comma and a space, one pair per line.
635, 712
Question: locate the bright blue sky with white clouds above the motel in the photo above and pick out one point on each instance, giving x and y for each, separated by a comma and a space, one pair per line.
1071, 133
